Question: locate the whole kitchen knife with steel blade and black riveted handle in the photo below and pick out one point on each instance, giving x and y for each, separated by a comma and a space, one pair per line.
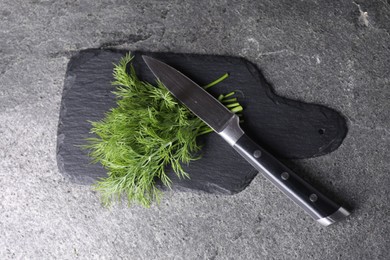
226, 124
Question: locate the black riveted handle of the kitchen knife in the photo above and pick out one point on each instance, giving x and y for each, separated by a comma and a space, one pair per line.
316, 204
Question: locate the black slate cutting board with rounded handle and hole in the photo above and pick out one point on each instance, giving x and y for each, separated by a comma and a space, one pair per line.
287, 128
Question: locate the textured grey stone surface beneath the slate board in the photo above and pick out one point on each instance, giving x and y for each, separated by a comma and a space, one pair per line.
336, 54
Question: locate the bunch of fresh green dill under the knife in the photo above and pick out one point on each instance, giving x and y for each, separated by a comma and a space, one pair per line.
147, 132
